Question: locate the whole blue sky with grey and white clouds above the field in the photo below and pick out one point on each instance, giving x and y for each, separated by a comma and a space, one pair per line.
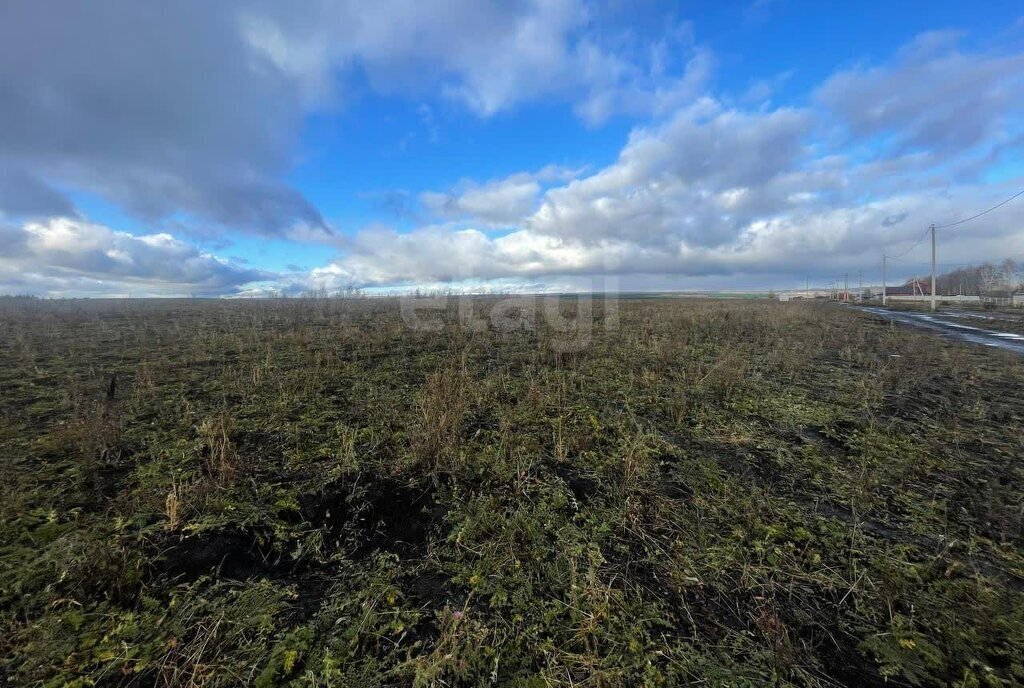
247, 149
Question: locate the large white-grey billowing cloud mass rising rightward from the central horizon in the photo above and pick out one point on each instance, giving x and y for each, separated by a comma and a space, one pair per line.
714, 190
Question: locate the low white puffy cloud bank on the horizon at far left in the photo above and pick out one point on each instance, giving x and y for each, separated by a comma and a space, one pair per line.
71, 256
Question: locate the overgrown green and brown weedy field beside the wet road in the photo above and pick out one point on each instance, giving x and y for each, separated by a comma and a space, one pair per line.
312, 493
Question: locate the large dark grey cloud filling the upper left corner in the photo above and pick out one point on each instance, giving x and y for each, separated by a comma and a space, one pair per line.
160, 110
